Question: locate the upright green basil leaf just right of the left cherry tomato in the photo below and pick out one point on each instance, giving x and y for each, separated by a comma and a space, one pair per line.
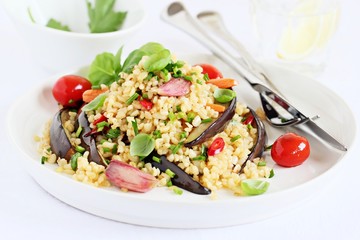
103, 70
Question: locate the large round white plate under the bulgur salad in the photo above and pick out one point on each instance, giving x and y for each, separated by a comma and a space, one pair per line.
162, 208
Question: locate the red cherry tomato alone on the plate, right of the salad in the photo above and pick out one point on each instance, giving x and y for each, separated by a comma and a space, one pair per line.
290, 150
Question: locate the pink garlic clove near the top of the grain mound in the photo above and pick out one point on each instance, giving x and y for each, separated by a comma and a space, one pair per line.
175, 87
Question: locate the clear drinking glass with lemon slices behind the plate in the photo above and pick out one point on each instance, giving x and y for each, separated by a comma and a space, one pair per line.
295, 33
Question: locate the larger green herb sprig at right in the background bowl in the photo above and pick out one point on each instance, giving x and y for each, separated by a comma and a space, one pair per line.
103, 18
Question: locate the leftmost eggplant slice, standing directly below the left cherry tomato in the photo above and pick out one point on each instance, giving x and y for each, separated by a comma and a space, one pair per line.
59, 138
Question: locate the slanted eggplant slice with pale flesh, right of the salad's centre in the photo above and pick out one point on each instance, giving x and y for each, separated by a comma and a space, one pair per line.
208, 130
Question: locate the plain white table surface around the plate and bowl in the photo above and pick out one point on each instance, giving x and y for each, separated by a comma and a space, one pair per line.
27, 211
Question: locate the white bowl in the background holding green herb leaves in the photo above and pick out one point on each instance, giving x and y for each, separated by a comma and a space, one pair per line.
58, 50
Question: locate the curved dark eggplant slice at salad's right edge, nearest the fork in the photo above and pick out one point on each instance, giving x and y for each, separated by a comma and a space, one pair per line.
261, 138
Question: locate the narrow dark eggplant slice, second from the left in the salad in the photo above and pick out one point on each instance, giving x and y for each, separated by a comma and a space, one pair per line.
88, 141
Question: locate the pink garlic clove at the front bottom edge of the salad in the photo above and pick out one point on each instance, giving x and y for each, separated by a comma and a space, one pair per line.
128, 177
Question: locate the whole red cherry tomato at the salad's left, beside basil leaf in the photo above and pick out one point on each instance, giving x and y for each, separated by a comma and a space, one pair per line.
68, 90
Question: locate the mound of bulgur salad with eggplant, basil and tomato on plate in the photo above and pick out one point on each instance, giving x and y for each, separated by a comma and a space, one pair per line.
155, 121
